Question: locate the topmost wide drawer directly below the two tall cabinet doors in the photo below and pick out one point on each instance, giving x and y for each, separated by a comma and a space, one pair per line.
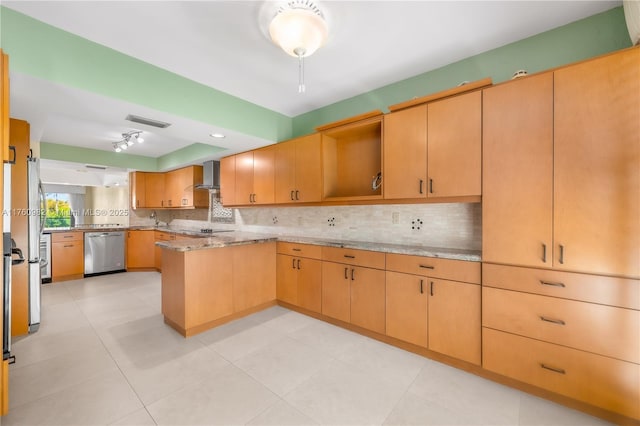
622, 292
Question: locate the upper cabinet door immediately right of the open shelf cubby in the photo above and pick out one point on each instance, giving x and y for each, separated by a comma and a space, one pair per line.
405, 153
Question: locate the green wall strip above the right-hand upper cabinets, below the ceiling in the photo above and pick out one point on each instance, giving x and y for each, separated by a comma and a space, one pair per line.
595, 35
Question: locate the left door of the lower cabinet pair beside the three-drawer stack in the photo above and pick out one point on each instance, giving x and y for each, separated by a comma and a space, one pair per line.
406, 307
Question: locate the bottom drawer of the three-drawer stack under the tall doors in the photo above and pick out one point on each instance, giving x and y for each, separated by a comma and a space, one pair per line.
597, 380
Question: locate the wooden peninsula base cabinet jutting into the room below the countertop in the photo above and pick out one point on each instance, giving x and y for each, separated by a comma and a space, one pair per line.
205, 288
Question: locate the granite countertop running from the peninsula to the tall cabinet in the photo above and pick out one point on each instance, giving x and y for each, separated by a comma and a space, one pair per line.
225, 239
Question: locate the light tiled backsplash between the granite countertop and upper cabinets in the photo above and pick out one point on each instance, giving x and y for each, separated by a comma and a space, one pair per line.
454, 225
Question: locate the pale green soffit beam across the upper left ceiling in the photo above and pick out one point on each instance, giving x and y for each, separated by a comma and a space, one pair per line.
44, 51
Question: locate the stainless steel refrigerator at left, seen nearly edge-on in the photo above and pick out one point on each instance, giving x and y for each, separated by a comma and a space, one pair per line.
37, 211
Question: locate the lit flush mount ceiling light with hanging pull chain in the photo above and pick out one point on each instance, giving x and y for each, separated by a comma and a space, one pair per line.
299, 29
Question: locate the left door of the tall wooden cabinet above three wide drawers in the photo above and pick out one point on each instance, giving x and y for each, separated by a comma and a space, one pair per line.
517, 172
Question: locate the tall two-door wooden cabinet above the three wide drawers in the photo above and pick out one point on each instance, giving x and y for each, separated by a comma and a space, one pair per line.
562, 168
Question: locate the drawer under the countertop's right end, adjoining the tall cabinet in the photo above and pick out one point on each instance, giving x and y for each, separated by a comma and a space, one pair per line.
456, 270
